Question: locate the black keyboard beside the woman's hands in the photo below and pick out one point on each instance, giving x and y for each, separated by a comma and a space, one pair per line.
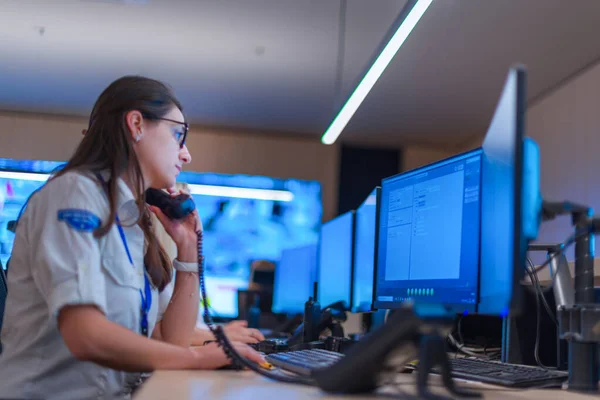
303, 362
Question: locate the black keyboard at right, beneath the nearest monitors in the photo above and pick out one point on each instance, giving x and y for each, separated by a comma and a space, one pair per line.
502, 374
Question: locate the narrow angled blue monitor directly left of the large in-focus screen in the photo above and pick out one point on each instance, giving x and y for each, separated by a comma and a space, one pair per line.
364, 252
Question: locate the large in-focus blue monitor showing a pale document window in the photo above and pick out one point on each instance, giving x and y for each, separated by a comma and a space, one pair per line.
428, 248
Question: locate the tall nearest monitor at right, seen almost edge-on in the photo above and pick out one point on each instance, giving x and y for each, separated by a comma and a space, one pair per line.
503, 239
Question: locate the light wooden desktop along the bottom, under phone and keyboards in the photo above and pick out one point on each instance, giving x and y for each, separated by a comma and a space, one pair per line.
249, 386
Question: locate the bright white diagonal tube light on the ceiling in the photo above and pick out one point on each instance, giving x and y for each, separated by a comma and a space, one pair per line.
373, 74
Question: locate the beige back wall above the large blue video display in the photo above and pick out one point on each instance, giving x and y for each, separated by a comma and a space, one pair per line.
31, 136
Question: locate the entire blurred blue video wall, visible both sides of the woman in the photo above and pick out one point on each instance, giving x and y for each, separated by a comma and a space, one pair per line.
238, 227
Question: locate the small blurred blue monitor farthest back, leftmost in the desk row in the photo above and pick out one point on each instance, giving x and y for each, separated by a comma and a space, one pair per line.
294, 278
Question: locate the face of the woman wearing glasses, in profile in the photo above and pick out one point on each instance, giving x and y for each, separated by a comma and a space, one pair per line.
158, 149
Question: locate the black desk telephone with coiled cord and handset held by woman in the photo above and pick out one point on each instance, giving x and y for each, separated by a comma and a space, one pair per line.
363, 366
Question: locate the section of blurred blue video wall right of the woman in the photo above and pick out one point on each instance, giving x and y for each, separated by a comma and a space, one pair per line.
241, 226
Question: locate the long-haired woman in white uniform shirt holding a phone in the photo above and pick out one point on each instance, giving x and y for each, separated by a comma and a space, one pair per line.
86, 267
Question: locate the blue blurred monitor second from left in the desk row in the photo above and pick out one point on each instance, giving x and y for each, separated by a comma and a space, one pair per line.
336, 255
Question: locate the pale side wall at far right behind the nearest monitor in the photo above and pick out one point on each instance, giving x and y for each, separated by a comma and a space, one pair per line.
566, 125
